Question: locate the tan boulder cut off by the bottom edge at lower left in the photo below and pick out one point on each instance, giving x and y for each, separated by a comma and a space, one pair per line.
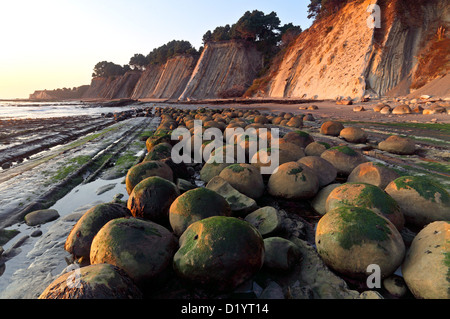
100, 281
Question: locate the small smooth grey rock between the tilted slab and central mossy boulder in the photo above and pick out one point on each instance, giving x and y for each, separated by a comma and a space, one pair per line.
266, 220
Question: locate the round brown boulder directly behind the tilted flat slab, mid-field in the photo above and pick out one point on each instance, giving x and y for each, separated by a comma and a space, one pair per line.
245, 178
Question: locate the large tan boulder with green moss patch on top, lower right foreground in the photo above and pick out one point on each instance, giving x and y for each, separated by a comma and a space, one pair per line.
349, 239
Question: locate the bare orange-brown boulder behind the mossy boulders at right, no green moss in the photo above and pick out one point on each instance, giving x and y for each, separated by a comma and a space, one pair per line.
372, 173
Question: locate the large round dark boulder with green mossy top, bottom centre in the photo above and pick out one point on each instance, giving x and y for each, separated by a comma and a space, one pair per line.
219, 253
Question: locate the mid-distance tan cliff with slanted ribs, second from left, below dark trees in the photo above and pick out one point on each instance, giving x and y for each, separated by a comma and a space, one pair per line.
167, 81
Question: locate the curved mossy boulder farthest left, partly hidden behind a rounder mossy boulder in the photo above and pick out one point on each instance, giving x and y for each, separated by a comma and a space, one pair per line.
79, 241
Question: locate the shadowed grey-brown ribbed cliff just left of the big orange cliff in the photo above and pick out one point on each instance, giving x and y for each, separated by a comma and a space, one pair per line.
221, 67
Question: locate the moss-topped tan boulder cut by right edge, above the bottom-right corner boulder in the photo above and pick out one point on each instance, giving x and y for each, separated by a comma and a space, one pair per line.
421, 200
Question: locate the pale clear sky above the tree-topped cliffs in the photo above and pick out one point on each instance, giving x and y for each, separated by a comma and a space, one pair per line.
50, 44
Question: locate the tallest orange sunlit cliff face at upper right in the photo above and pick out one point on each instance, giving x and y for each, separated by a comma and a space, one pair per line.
340, 56
